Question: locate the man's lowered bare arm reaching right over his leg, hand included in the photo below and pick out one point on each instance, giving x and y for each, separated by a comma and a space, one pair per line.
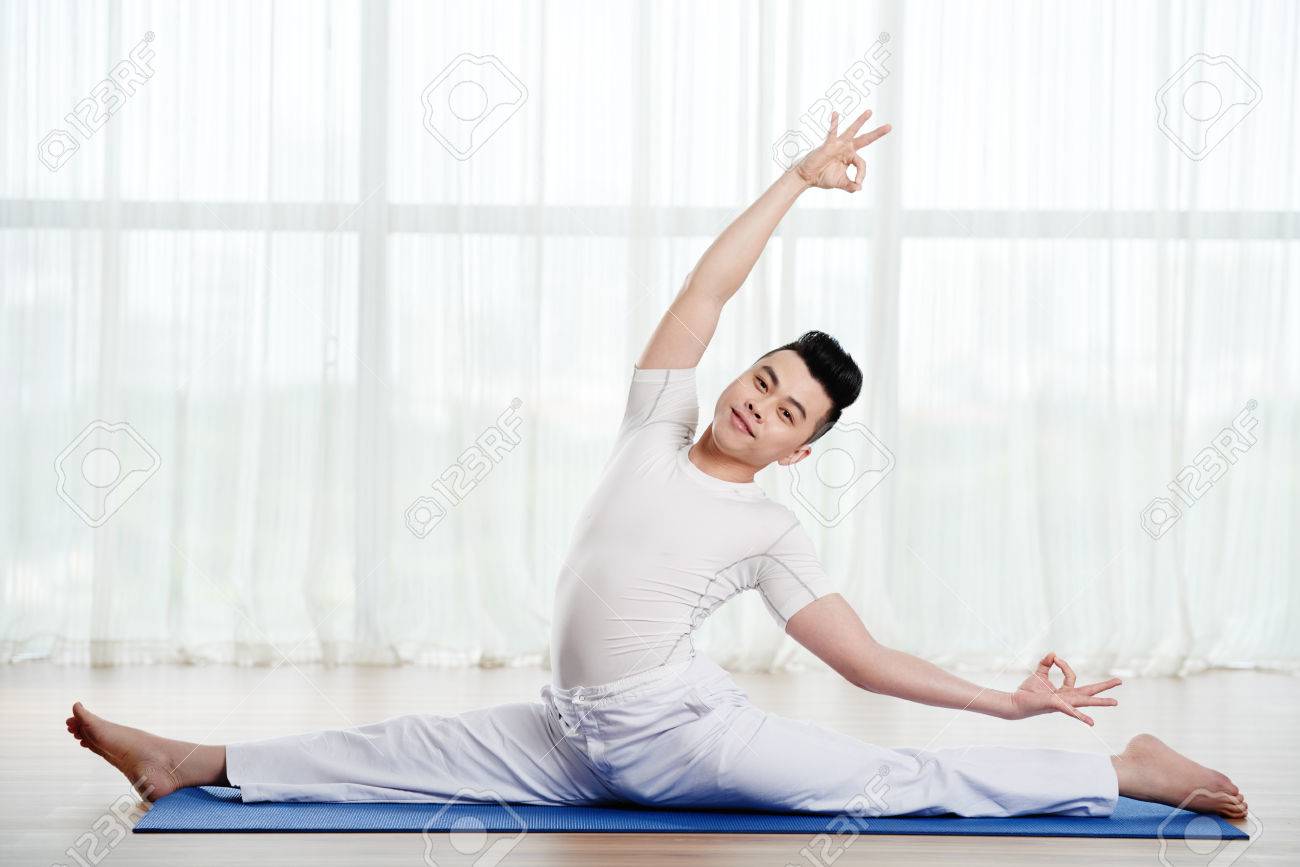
837, 635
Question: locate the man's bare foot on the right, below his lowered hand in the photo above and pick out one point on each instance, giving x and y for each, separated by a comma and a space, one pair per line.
1150, 770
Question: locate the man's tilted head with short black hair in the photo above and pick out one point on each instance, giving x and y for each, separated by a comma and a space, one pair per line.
786, 401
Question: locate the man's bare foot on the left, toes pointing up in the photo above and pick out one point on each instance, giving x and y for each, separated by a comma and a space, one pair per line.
155, 766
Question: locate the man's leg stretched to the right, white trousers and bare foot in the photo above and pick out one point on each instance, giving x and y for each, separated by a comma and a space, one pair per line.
740, 756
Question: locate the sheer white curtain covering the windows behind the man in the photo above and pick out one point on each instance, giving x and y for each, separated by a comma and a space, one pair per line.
309, 311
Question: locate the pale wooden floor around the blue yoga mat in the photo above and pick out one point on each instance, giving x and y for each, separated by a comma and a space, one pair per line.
1242, 723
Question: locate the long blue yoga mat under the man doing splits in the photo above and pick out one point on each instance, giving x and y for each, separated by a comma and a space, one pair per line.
214, 809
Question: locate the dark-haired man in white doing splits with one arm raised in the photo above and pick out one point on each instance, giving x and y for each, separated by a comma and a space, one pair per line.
675, 528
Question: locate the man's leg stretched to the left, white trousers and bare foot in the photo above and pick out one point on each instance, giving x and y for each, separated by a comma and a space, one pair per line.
509, 752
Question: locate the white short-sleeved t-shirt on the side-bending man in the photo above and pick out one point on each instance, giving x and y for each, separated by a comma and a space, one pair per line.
661, 545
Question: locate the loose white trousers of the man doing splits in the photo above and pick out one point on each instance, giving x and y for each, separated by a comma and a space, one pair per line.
683, 736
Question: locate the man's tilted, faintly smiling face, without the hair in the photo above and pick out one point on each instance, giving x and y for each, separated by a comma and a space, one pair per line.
770, 411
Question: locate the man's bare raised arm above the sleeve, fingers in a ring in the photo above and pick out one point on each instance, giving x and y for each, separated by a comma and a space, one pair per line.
688, 327
